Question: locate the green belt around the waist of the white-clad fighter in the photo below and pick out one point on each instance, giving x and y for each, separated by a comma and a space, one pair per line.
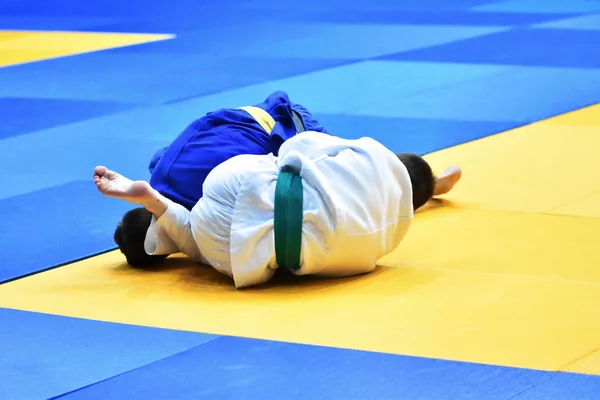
288, 218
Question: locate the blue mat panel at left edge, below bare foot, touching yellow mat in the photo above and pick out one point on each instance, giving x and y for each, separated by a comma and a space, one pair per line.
49, 227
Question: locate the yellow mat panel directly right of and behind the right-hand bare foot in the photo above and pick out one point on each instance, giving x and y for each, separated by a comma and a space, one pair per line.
534, 168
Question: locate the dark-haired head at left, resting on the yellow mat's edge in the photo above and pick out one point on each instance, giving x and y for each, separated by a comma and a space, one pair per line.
130, 236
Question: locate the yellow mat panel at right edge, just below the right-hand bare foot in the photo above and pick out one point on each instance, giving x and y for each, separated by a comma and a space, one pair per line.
508, 243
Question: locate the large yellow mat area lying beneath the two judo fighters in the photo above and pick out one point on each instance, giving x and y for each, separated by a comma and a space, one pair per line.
488, 275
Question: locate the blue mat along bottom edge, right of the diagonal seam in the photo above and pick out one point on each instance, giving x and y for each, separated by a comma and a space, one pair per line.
236, 368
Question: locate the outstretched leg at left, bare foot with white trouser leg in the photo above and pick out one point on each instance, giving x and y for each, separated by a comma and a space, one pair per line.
173, 218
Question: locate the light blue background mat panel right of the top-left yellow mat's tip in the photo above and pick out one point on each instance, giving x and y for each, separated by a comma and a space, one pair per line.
310, 40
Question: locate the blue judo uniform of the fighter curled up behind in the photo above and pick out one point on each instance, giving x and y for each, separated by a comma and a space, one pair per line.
179, 170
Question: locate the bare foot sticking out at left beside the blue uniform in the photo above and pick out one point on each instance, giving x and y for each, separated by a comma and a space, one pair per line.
112, 184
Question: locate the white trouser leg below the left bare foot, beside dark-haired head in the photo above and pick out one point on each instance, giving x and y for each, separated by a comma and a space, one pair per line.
172, 233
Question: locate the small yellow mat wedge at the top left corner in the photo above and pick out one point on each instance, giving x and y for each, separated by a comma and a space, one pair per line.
17, 47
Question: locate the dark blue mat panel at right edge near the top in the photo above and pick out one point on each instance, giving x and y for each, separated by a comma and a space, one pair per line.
522, 47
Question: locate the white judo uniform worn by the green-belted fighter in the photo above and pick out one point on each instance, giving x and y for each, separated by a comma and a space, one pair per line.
357, 208
